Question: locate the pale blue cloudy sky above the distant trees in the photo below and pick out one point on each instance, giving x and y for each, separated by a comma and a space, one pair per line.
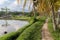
13, 6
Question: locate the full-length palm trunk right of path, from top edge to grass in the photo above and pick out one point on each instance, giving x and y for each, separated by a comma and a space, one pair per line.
53, 13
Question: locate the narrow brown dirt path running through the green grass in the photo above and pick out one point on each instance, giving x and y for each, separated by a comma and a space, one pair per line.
45, 32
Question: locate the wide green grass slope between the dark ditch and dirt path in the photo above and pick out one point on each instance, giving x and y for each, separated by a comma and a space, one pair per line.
32, 33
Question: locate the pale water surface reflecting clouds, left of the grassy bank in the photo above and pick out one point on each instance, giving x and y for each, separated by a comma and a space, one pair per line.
13, 26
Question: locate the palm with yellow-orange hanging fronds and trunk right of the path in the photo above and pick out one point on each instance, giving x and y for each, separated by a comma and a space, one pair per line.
44, 6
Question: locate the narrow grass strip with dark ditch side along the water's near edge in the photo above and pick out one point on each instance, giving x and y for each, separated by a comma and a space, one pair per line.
14, 35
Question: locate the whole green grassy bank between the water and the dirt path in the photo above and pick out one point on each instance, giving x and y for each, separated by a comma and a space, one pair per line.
29, 32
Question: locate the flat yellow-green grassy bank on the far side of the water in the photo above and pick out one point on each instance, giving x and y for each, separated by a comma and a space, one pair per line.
17, 18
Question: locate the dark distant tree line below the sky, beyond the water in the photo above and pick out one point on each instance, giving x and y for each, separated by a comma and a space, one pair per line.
2, 13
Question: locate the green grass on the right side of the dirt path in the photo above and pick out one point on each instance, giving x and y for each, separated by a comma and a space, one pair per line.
55, 34
